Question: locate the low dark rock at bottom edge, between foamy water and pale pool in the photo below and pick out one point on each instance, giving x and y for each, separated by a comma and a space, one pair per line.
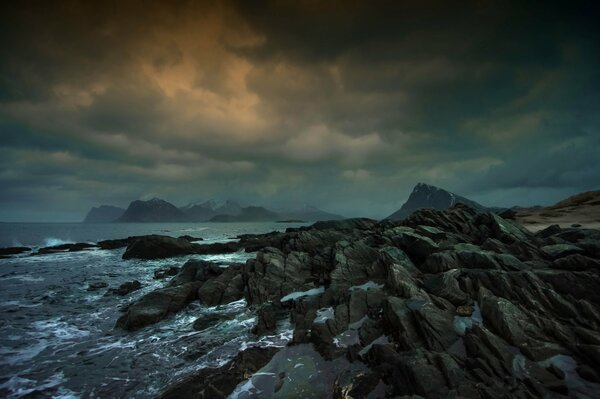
215, 383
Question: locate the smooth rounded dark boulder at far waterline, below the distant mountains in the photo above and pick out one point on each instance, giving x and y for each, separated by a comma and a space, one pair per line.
156, 247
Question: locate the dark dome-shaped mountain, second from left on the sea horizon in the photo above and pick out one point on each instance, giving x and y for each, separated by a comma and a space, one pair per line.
154, 210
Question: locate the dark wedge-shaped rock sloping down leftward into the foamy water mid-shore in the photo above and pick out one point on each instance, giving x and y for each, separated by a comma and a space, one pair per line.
156, 305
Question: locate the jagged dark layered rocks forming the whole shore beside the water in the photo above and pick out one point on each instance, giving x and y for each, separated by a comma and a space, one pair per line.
451, 303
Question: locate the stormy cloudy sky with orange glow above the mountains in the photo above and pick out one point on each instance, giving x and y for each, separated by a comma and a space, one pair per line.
345, 105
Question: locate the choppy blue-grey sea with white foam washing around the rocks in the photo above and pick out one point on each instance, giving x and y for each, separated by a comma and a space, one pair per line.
57, 339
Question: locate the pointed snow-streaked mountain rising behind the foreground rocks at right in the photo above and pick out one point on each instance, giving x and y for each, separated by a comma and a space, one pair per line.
426, 196
